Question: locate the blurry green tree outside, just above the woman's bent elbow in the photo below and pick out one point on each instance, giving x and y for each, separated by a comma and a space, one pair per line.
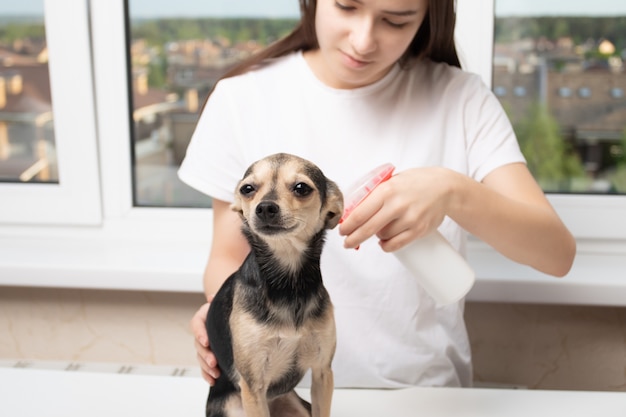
549, 157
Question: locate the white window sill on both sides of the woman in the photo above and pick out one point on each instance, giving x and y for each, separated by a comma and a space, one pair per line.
156, 253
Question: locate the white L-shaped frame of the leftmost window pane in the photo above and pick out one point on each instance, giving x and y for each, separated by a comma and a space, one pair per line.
76, 198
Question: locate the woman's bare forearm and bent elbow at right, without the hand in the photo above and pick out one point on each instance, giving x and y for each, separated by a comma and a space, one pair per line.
509, 211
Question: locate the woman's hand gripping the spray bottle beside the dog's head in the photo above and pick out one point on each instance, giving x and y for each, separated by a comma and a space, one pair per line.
409, 205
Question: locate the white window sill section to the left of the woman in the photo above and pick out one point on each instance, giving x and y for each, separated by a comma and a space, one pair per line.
147, 251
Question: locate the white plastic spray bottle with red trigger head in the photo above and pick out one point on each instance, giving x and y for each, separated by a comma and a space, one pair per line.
441, 270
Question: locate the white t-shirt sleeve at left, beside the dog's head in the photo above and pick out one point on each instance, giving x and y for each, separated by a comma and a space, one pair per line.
214, 163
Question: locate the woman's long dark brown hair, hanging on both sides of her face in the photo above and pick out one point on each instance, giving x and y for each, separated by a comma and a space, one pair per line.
433, 40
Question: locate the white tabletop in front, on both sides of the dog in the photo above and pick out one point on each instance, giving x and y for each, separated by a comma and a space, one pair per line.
32, 392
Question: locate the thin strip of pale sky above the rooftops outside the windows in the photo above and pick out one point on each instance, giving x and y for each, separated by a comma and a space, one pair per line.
289, 8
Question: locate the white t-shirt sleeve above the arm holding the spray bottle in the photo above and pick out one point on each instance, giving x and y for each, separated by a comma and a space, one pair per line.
491, 140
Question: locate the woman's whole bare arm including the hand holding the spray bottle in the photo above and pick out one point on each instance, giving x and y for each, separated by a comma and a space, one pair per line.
507, 210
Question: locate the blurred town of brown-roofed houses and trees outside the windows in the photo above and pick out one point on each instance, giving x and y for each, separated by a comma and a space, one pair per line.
564, 91
